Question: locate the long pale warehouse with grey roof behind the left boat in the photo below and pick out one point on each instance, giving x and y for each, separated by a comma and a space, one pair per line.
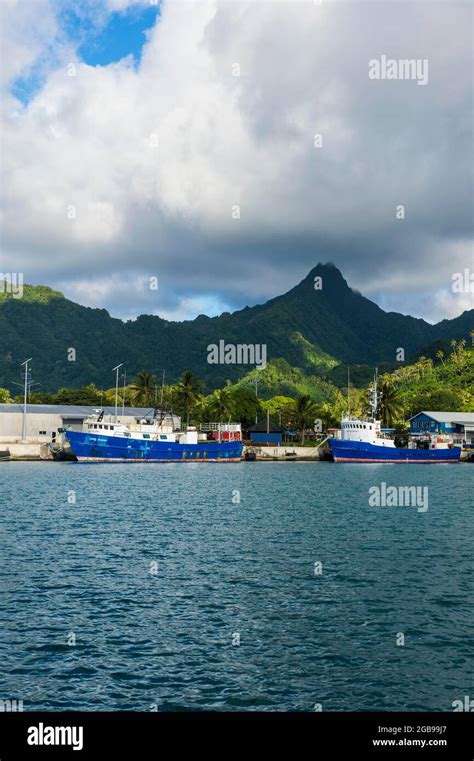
44, 420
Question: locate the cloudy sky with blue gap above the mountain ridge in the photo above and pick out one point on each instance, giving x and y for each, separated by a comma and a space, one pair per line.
131, 130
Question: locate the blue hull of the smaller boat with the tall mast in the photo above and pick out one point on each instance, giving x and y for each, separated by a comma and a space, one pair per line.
360, 451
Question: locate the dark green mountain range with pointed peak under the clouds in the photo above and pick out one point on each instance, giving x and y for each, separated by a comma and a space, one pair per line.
314, 330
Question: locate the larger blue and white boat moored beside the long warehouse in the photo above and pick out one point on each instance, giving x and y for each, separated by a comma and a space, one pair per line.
150, 441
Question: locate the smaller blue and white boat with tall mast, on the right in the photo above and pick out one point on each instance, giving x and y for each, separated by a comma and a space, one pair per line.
362, 440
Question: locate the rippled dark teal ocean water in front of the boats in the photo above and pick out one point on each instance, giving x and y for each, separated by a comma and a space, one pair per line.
252, 586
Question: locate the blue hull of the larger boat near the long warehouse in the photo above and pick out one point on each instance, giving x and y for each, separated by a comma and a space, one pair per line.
94, 448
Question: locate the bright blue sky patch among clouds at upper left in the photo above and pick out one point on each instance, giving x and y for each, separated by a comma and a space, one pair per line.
99, 36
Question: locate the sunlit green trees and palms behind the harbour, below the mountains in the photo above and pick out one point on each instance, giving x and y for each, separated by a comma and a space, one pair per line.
290, 398
